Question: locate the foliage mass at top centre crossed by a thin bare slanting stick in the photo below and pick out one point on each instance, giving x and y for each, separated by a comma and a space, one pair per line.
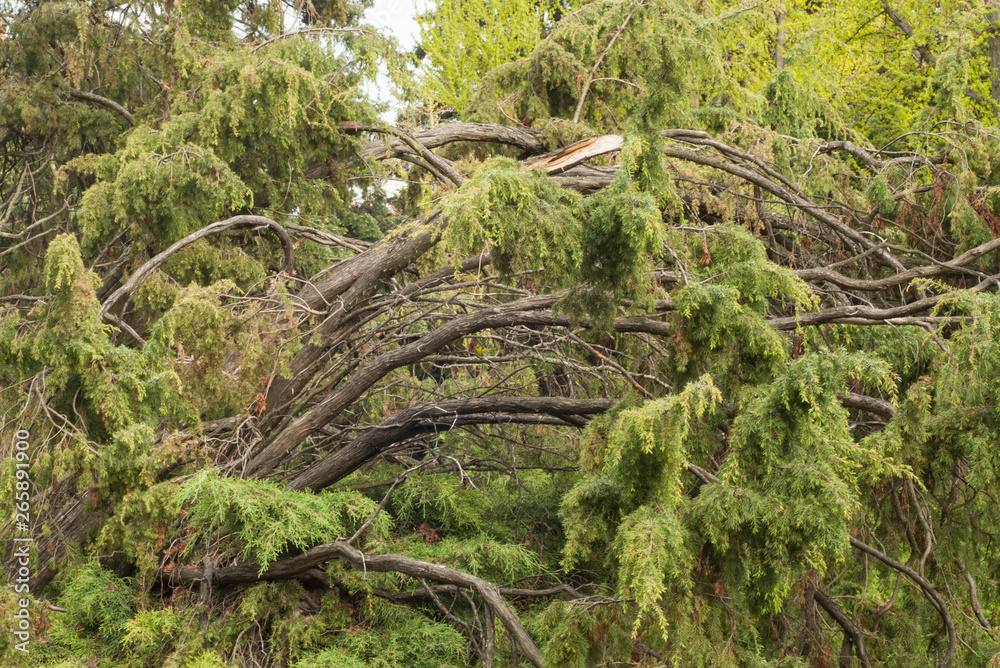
620, 52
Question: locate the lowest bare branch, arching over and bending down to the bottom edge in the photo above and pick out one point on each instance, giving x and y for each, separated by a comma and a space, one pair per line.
378, 563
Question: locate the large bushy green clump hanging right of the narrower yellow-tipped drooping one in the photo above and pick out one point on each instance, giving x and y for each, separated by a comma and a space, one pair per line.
789, 489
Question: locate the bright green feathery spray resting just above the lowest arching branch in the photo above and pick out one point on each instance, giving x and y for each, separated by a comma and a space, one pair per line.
263, 520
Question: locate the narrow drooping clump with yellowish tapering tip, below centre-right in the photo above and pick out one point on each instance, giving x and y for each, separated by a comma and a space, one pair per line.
632, 500
